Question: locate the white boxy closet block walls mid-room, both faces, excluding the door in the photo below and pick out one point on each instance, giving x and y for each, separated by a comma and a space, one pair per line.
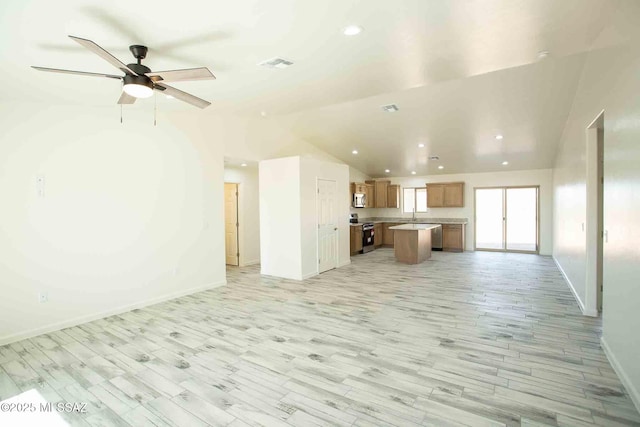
288, 215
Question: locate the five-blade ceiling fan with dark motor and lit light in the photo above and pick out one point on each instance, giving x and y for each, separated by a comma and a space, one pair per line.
138, 80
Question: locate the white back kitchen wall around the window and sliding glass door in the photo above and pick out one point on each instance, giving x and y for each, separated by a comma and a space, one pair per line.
541, 177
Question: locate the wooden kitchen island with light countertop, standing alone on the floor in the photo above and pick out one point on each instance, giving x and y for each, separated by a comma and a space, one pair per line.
412, 242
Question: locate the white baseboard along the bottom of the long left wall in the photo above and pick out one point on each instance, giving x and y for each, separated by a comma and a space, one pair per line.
112, 312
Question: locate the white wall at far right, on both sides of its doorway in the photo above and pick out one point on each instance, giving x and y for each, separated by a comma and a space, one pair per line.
610, 81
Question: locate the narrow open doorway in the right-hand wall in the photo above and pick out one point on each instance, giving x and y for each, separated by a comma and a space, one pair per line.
595, 234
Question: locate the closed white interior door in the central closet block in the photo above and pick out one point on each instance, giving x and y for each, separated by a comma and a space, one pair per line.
327, 226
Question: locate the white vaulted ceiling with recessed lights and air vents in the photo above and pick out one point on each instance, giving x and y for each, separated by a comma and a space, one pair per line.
460, 70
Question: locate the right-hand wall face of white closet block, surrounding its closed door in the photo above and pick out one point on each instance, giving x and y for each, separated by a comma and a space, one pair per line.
312, 170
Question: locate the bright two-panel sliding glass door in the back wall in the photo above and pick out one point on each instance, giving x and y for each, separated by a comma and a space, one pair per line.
506, 219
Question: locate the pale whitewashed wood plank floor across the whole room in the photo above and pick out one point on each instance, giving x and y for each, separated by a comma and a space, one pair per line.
478, 339
